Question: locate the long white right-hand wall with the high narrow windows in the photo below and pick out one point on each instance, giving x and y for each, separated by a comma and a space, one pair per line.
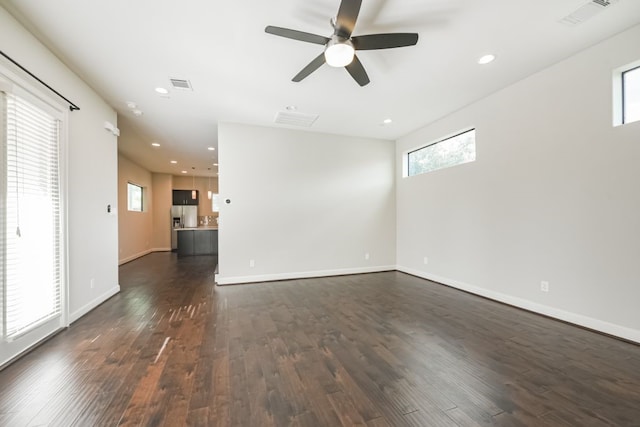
552, 196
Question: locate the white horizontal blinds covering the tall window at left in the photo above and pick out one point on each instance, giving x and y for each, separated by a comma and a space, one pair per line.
31, 238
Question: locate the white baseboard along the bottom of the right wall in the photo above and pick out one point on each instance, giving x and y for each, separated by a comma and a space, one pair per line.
567, 316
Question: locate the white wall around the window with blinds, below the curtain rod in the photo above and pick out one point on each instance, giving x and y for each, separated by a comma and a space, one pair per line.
92, 172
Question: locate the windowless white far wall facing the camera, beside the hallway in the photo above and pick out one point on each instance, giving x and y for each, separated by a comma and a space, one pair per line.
303, 204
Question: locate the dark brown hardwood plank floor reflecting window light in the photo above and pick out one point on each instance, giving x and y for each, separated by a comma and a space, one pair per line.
384, 349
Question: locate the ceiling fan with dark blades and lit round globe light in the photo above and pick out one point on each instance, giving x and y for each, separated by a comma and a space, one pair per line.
339, 49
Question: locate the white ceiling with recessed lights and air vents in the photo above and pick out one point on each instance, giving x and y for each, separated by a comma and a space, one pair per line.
126, 48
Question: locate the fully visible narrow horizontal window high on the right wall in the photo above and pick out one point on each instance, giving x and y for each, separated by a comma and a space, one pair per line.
451, 151
